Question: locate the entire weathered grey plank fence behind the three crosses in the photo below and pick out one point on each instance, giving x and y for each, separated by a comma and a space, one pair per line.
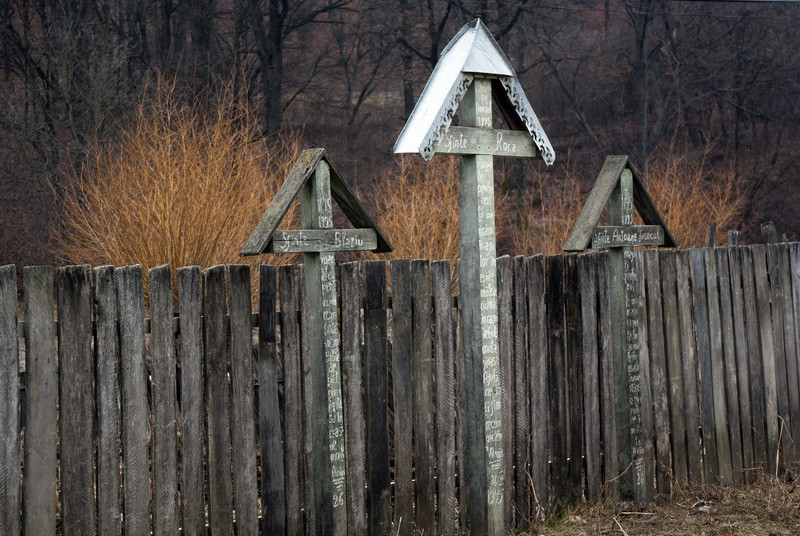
124, 423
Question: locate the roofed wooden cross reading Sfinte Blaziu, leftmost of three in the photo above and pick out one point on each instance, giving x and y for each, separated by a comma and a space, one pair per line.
319, 184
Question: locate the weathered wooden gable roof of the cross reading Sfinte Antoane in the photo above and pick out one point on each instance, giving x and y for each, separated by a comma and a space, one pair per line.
581, 235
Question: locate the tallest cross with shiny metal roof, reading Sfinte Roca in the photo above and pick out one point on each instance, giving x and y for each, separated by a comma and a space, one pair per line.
472, 76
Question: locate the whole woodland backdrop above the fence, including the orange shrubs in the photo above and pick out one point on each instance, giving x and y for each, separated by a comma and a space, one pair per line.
123, 120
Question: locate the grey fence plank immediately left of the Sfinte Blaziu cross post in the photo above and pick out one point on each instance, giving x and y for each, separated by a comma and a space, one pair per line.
296, 501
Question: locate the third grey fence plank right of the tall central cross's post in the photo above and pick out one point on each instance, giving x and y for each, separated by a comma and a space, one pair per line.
539, 380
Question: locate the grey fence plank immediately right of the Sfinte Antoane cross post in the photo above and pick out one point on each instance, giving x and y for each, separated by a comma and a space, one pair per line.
658, 371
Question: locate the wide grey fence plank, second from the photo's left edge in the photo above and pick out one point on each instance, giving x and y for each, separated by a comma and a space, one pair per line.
41, 382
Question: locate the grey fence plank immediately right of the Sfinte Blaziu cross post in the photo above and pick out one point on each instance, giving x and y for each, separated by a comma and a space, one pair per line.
354, 420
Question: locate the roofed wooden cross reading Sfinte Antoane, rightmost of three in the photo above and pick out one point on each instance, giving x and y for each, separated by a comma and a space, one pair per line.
619, 188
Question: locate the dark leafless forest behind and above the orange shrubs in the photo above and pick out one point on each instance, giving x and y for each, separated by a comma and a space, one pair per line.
641, 77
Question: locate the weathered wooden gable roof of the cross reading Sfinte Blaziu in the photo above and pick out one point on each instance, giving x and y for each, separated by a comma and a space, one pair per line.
341, 193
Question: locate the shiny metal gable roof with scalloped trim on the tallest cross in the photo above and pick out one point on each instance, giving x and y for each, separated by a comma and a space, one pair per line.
473, 51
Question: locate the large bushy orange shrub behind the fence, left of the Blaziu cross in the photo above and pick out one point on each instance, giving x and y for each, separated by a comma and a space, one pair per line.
184, 185
